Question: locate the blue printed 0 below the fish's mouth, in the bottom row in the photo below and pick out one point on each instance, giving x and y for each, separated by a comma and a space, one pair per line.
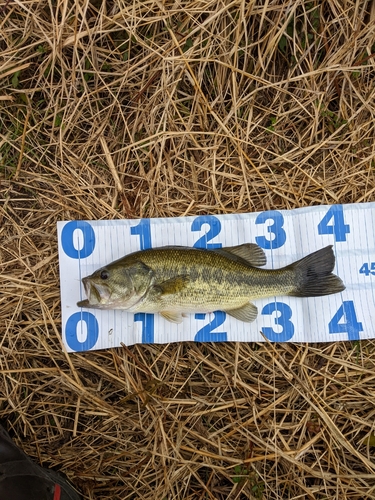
72, 329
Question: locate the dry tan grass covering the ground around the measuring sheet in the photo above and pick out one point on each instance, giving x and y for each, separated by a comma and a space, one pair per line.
162, 108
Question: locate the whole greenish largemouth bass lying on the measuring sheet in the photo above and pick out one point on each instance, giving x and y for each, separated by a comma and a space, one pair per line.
176, 280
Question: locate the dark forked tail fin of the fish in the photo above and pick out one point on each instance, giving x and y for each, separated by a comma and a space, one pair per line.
314, 275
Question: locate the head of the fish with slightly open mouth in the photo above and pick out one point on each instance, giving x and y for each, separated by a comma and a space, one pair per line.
116, 286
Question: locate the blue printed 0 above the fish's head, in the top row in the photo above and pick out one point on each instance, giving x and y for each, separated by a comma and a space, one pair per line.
86, 242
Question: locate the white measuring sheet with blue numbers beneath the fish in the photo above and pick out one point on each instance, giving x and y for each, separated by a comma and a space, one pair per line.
285, 236
